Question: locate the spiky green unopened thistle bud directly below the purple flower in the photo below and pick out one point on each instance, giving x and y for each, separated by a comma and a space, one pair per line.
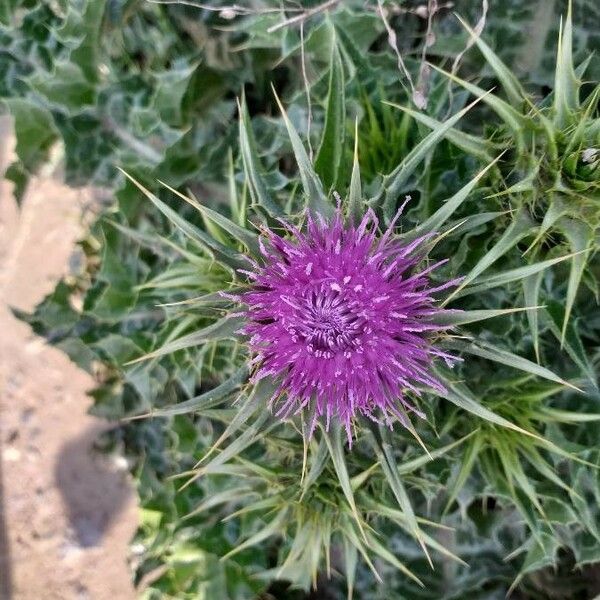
311, 515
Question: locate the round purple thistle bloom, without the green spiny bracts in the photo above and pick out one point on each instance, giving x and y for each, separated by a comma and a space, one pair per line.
339, 317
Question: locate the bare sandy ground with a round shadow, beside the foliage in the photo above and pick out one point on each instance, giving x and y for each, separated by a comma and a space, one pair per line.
66, 514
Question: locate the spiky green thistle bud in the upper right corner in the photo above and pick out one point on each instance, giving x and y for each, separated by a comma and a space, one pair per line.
551, 176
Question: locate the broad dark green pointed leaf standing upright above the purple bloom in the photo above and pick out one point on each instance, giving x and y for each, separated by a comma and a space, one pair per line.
331, 149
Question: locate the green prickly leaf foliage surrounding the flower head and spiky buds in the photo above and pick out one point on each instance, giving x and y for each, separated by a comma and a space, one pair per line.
152, 88
